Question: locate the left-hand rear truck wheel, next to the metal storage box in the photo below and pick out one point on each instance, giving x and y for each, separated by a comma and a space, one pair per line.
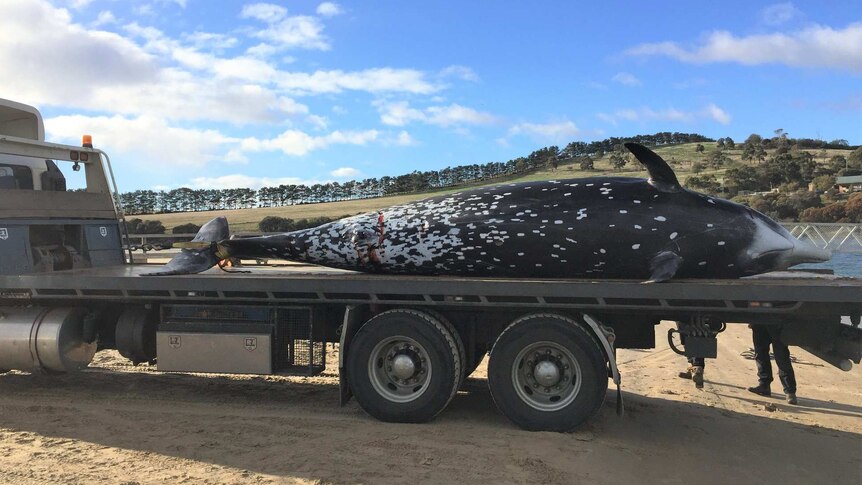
404, 366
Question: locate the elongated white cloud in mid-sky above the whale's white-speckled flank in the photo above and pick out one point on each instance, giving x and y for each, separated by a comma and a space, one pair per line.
400, 113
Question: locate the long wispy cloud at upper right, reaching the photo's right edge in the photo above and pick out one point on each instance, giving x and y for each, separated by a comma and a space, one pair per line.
816, 46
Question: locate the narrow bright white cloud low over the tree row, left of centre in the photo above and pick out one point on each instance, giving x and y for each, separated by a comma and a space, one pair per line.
298, 143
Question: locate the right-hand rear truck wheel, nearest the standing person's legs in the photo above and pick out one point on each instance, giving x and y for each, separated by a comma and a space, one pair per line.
547, 373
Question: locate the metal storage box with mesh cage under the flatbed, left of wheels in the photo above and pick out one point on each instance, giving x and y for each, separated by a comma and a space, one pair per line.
239, 339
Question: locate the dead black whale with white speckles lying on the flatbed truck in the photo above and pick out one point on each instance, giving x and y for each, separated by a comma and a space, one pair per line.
651, 230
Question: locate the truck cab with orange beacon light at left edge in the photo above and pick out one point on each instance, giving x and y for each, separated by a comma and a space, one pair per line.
44, 226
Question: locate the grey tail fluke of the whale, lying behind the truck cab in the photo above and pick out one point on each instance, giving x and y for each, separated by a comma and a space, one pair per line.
201, 253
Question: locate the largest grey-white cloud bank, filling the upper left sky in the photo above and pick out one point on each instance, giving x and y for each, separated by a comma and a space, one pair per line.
146, 72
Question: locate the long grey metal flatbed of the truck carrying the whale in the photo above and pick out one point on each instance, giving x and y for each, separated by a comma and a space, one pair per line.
776, 293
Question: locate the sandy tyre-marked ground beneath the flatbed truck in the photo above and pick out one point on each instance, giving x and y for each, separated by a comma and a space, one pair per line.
118, 424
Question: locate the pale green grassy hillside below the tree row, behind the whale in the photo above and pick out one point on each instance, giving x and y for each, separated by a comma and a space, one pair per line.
681, 158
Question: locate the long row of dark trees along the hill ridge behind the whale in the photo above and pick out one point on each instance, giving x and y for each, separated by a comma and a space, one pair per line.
188, 200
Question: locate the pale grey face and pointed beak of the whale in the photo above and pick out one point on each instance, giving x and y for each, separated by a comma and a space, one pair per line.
774, 248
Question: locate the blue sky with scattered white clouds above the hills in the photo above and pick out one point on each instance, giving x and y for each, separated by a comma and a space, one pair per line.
221, 94
